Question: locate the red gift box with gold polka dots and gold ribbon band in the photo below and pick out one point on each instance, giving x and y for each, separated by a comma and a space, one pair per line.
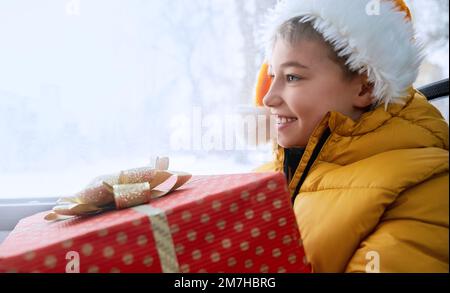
232, 223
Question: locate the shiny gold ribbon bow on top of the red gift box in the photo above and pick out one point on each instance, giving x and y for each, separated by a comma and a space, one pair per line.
119, 191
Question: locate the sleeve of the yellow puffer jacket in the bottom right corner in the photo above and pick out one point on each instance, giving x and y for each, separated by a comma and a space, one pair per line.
412, 235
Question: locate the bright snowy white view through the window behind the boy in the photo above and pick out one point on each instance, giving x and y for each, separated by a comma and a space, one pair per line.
98, 86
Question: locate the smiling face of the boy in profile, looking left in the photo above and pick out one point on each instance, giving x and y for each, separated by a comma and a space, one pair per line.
306, 84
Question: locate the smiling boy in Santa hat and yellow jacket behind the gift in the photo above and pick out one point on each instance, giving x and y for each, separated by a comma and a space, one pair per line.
365, 155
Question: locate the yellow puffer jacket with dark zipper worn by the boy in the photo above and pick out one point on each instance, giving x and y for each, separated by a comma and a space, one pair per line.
377, 192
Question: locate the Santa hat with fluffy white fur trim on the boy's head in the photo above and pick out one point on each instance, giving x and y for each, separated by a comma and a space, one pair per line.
377, 36
